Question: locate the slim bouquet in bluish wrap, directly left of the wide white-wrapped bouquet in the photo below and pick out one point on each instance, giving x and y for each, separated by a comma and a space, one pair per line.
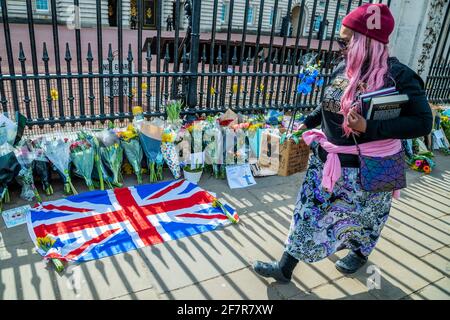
25, 157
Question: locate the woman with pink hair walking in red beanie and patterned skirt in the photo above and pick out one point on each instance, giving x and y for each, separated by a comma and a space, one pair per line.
345, 216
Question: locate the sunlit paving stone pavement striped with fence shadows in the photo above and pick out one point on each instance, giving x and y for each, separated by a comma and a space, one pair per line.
412, 258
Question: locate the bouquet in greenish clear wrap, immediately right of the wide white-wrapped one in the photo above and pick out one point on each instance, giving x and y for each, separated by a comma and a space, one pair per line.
82, 154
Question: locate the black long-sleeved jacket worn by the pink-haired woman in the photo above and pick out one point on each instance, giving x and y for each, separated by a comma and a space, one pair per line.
415, 119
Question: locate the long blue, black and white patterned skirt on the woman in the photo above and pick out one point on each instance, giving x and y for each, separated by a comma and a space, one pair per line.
348, 218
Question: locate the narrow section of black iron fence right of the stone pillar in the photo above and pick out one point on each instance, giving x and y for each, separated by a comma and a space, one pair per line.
438, 80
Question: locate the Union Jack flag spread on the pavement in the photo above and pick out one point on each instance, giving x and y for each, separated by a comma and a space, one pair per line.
97, 224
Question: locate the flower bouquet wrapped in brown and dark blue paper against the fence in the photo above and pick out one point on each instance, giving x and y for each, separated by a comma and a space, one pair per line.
150, 136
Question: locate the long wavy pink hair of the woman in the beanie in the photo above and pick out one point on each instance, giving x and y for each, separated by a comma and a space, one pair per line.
363, 51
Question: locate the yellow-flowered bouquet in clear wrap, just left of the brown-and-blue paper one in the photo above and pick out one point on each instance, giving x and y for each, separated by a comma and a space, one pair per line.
129, 140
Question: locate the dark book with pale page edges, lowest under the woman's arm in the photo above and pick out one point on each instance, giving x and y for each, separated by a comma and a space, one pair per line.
386, 107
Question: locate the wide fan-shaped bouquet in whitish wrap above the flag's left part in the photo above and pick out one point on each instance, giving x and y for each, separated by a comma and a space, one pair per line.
57, 150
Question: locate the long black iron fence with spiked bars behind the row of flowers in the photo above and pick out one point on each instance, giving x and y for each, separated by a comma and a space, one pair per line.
82, 75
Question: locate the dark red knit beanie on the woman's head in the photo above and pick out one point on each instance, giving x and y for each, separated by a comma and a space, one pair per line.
373, 20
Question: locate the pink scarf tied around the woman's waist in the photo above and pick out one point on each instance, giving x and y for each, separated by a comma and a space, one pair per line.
332, 167
